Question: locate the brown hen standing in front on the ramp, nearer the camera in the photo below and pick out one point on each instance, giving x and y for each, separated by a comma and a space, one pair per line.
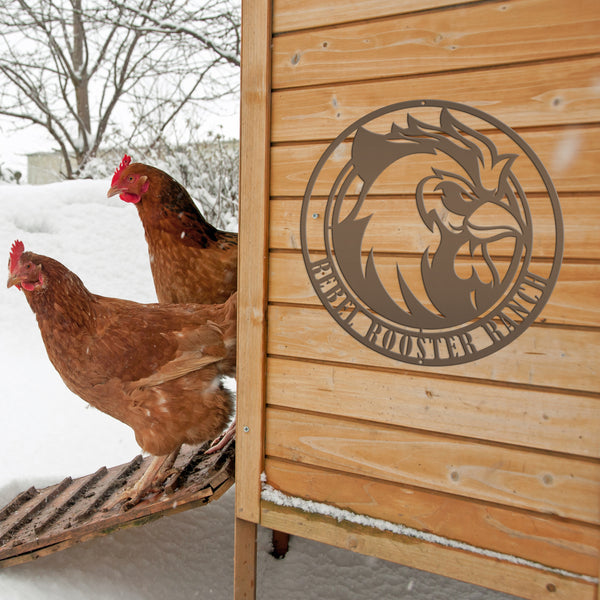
155, 367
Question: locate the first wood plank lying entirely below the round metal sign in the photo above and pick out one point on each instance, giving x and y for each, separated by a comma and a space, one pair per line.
498, 413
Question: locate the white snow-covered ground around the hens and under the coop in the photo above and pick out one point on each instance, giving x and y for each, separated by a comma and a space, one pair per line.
48, 433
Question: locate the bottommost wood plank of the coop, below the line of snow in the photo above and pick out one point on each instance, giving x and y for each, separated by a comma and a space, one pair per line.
522, 581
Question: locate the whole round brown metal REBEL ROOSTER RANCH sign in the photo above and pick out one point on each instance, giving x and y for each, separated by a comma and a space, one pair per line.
419, 239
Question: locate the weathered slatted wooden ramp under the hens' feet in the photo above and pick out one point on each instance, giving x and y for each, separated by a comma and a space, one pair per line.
40, 522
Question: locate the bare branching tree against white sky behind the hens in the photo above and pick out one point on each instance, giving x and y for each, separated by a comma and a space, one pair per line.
133, 71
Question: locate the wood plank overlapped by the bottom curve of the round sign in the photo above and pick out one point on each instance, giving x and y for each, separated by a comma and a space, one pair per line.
542, 356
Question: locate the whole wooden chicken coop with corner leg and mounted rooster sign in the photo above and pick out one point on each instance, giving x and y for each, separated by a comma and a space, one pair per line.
419, 286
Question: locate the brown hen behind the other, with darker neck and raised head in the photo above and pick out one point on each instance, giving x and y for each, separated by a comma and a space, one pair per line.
191, 261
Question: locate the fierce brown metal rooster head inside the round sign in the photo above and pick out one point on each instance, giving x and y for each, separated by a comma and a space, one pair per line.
476, 205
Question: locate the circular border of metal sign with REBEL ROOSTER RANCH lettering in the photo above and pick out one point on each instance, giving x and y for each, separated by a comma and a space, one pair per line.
424, 347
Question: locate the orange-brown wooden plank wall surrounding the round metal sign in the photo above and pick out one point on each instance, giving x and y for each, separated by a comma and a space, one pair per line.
502, 453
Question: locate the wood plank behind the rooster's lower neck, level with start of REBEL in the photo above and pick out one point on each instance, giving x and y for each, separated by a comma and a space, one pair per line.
574, 300
